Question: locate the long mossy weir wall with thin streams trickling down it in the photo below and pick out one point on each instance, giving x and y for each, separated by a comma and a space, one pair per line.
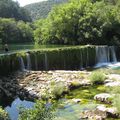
66, 58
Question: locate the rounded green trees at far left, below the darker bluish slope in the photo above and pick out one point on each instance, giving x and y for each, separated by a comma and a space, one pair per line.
12, 31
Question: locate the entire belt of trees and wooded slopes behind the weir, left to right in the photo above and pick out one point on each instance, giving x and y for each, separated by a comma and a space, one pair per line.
74, 22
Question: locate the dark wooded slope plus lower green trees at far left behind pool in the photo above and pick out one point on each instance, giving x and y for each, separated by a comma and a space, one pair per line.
13, 23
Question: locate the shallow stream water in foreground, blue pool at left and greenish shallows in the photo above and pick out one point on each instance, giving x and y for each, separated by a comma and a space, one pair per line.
67, 109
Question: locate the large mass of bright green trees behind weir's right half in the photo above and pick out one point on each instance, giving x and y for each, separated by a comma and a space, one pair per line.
81, 22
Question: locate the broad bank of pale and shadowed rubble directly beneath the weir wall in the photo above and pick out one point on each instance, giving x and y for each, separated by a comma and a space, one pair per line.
33, 84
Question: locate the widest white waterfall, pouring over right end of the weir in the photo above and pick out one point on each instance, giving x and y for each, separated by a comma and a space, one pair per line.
105, 55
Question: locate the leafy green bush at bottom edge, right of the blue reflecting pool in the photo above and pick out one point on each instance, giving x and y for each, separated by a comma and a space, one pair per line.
41, 111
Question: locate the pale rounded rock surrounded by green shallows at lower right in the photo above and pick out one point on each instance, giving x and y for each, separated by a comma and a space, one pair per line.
103, 97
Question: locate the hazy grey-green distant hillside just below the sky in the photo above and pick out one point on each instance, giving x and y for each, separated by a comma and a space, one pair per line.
41, 9
